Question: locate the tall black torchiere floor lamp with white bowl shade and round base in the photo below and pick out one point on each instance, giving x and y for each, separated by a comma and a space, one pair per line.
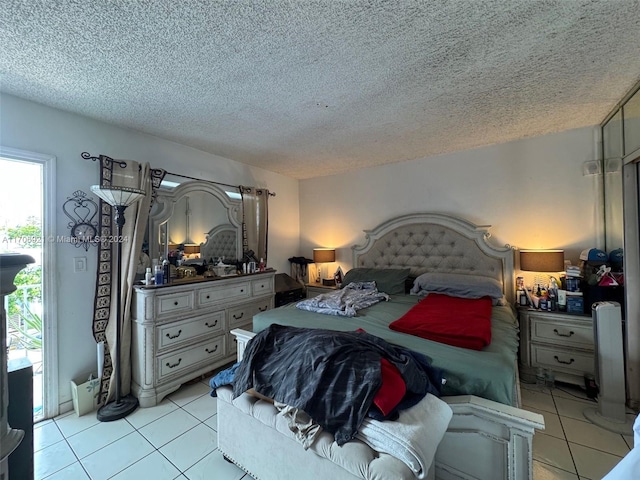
119, 198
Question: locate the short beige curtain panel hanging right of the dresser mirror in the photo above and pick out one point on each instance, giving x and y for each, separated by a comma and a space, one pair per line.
255, 221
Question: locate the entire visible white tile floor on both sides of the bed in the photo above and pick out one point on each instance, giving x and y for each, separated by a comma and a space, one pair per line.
177, 440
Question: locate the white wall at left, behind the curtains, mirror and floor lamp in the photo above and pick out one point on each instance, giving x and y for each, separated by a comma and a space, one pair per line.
29, 126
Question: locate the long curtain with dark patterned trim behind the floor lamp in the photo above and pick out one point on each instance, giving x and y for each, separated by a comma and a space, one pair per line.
126, 174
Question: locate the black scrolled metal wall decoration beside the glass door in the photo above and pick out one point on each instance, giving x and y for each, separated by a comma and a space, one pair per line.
82, 211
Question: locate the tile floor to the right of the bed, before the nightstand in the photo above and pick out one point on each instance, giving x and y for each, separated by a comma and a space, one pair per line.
570, 447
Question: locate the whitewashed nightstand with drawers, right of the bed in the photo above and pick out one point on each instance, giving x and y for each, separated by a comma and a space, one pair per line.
556, 341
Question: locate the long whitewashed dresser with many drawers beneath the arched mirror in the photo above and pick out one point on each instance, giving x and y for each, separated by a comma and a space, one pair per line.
181, 331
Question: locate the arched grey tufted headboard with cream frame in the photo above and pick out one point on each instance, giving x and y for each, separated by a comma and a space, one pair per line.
434, 242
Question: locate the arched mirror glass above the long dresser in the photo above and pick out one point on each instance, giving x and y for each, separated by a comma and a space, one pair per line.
198, 218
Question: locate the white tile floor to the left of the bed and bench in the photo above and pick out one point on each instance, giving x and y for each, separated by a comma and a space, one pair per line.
175, 440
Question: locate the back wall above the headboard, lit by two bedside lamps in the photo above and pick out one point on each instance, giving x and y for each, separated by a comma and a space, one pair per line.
531, 191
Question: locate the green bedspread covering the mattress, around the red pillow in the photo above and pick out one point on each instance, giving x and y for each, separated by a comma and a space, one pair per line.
489, 373
